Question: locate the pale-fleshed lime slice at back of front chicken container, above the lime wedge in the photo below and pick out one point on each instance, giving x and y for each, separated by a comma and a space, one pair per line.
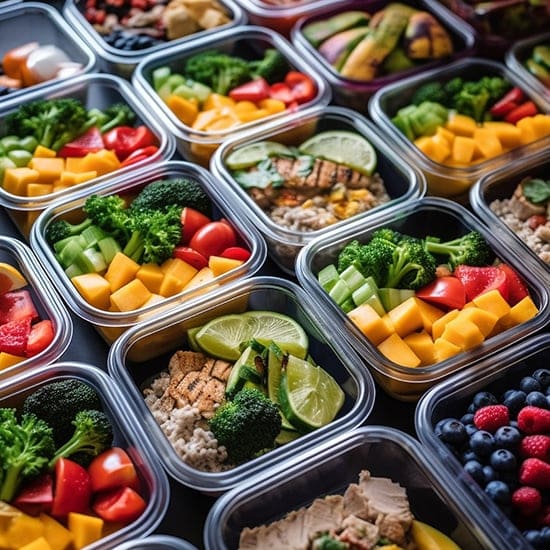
283, 330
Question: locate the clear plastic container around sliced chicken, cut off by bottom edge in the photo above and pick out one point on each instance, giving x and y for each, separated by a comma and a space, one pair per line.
328, 468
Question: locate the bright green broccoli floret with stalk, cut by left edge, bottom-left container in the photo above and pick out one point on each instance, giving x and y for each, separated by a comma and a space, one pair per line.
26, 446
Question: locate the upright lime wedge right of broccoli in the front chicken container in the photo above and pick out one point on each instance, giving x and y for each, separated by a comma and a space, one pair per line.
310, 398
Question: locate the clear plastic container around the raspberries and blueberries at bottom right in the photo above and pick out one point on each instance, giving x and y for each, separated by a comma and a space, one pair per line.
496, 374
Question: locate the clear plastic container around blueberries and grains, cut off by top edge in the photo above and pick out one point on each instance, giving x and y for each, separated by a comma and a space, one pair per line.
122, 62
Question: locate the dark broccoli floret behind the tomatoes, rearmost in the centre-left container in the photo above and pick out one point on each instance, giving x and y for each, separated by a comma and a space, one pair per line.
161, 194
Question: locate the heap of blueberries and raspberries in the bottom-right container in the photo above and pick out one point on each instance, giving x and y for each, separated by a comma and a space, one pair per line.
503, 443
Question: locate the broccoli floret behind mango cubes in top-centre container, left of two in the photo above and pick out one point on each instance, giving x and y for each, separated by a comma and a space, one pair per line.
220, 71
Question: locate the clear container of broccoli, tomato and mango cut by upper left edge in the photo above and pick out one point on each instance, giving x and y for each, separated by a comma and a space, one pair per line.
94, 90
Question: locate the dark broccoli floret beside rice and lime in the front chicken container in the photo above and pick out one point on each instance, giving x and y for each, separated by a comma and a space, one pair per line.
246, 425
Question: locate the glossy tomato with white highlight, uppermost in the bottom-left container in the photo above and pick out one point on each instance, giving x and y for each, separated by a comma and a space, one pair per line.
111, 469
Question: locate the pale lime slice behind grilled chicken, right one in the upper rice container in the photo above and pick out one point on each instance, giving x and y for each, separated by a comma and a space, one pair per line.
342, 147
